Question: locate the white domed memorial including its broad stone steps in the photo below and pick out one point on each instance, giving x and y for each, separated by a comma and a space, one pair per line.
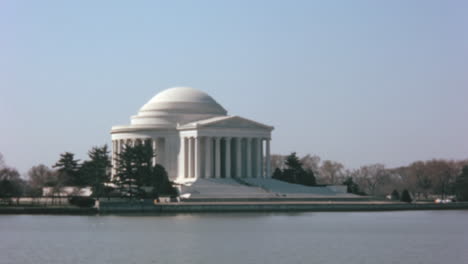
207, 153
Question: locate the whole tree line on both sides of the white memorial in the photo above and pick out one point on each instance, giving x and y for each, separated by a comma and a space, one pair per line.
137, 176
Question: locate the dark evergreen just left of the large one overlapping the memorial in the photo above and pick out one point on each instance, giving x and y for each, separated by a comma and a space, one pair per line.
96, 171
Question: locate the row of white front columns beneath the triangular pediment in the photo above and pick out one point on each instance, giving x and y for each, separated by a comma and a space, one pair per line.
225, 157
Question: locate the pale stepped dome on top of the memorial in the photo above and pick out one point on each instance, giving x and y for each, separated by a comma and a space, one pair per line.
178, 105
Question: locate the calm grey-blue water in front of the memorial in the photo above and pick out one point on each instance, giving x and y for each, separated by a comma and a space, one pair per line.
375, 237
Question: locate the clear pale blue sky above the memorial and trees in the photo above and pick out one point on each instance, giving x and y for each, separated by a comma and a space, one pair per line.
358, 82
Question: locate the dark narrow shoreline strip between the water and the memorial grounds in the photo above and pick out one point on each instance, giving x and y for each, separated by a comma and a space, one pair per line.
231, 207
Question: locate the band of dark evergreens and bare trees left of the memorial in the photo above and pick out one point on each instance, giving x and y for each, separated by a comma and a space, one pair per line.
136, 176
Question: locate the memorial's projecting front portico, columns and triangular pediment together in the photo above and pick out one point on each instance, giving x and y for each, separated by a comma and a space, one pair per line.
224, 153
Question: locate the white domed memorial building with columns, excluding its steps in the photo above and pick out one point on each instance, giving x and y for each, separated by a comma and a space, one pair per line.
193, 137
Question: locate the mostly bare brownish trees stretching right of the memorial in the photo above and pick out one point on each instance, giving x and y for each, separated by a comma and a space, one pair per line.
422, 179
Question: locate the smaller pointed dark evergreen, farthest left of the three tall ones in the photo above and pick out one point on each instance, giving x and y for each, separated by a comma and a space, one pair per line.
68, 170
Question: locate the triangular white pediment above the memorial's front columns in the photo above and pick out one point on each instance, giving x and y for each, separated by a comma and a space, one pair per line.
230, 122
